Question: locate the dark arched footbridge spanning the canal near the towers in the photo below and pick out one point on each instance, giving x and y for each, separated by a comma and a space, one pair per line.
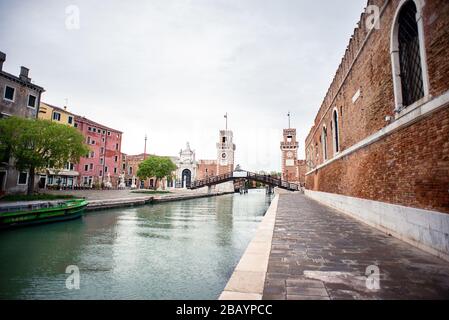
239, 175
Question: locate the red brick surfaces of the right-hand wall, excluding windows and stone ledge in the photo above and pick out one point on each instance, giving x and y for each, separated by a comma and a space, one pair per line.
409, 167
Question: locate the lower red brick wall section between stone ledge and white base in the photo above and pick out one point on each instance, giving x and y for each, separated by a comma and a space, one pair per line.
409, 167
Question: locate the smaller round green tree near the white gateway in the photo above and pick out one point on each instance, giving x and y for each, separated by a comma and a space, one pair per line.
157, 167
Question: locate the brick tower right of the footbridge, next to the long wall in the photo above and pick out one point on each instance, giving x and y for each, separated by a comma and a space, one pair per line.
289, 148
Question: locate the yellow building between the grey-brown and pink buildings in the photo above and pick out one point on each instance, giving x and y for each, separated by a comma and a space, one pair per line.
65, 177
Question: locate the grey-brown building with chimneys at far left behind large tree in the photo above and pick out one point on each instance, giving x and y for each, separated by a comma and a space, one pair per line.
21, 98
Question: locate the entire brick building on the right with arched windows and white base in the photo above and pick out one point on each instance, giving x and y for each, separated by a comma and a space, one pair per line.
379, 147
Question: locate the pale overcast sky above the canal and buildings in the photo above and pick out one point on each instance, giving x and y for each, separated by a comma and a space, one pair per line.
171, 69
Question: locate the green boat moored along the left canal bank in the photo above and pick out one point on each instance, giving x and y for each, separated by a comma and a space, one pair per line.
25, 214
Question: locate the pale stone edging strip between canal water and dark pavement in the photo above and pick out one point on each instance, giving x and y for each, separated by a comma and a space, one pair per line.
247, 282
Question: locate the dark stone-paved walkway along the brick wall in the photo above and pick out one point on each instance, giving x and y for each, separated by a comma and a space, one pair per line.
320, 253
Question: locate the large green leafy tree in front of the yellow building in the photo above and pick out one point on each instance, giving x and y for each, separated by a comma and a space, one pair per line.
35, 145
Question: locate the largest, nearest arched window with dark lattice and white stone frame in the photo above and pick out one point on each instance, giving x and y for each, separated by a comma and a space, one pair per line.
408, 54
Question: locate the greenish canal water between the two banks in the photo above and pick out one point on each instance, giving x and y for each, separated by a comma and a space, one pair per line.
179, 250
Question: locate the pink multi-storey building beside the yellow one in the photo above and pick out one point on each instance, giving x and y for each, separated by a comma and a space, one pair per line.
104, 157
